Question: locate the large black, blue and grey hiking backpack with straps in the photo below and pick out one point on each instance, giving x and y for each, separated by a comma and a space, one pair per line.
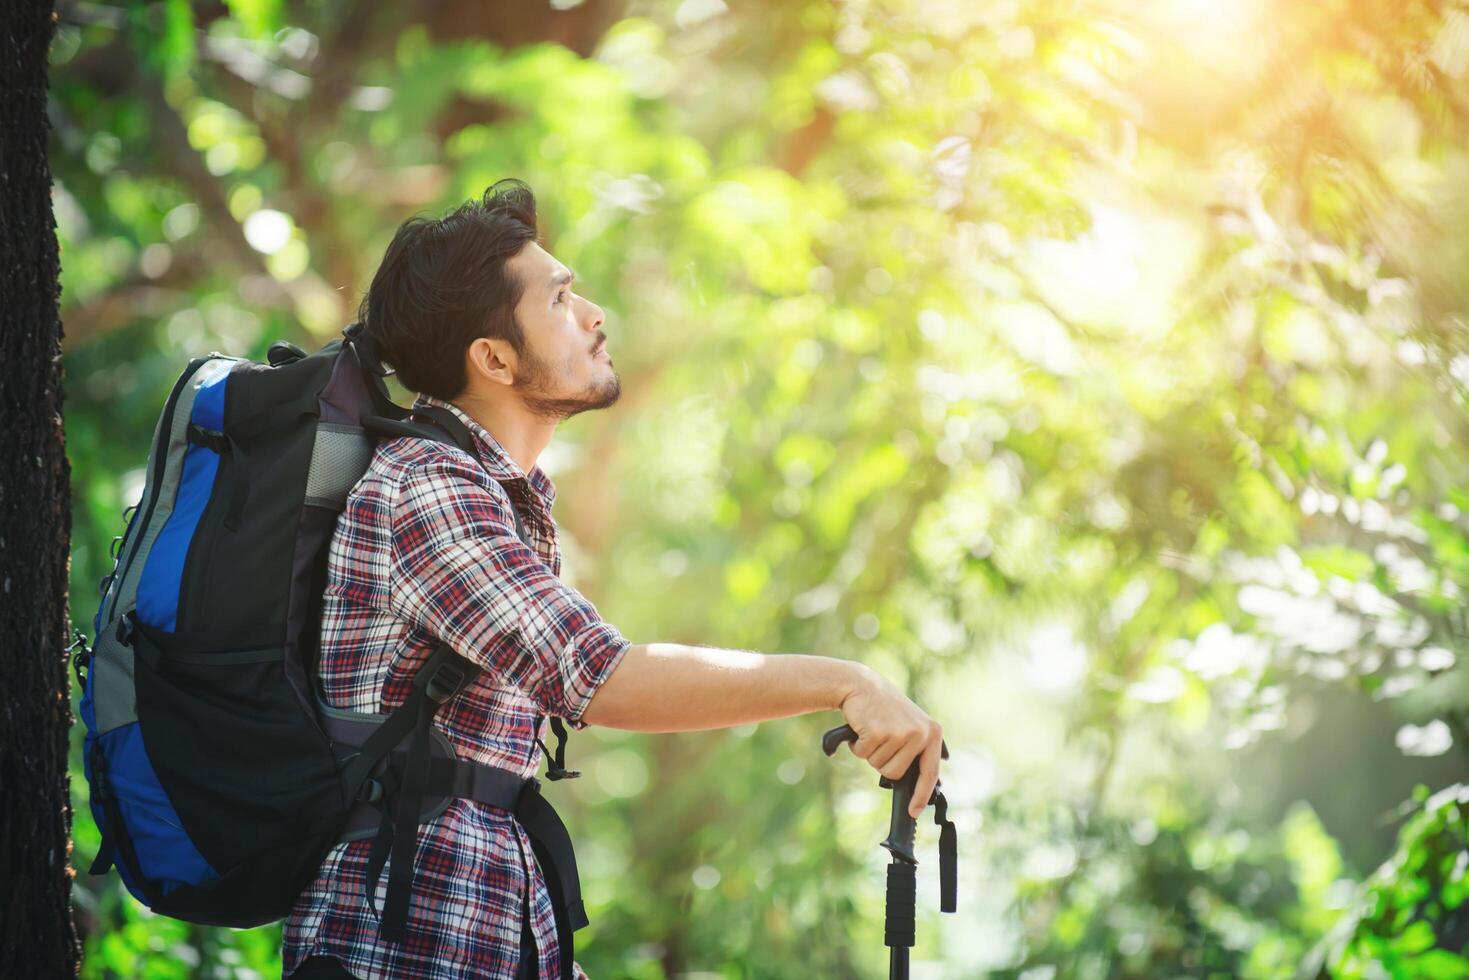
220, 778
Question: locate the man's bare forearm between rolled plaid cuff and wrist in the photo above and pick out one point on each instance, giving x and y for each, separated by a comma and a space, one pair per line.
676, 688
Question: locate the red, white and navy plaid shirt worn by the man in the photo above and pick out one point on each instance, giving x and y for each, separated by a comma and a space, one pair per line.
427, 549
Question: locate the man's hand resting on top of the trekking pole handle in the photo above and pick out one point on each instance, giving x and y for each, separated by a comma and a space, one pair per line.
892, 732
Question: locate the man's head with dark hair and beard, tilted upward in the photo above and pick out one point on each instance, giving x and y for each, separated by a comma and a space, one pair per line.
471, 306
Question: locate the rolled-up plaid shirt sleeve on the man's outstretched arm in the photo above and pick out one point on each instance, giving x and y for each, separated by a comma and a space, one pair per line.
461, 572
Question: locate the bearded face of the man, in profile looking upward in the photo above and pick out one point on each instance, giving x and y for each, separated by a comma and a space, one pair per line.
559, 375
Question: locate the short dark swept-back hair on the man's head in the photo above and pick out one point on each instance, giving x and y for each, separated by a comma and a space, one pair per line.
444, 284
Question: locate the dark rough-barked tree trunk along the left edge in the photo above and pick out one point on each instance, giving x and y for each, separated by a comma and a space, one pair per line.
37, 937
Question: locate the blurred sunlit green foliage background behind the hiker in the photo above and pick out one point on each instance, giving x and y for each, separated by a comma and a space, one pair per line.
1094, 370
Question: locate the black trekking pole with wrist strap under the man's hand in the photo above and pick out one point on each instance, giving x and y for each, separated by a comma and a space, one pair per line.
903, 885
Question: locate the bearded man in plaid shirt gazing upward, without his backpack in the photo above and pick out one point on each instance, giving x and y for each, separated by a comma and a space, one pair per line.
480, 320
